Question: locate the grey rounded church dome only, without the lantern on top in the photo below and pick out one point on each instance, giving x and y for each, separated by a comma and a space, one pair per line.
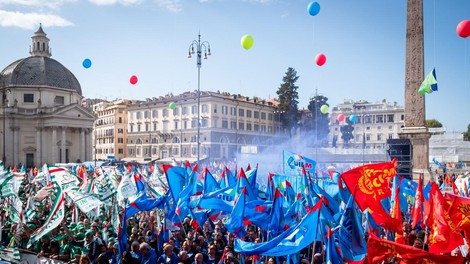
39, 71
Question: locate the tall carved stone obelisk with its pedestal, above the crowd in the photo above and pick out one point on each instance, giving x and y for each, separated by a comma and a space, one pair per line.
415, 114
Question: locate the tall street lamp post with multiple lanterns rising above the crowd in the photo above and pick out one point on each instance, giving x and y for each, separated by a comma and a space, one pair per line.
200, 47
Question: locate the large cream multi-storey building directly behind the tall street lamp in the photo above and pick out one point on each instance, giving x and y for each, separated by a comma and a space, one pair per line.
166, 127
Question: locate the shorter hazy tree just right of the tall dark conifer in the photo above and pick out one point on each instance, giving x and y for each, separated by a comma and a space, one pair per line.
320, 121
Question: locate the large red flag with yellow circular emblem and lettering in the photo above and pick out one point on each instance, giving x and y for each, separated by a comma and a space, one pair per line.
373, 185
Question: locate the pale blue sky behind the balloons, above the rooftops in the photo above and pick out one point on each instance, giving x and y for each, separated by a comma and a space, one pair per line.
363, 41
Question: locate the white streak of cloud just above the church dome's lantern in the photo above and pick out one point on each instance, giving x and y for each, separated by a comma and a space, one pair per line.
31, 20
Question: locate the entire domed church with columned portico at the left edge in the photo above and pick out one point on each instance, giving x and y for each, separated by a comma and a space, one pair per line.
42, 119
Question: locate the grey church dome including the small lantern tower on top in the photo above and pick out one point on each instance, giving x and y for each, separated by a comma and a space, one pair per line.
39, 69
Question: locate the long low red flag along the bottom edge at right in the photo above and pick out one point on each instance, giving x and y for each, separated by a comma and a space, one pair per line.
379, 250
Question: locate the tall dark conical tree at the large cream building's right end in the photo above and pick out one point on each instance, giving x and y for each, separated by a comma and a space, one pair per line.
288, 100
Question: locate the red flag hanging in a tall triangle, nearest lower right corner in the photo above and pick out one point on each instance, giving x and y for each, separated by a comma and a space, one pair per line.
444, 235
